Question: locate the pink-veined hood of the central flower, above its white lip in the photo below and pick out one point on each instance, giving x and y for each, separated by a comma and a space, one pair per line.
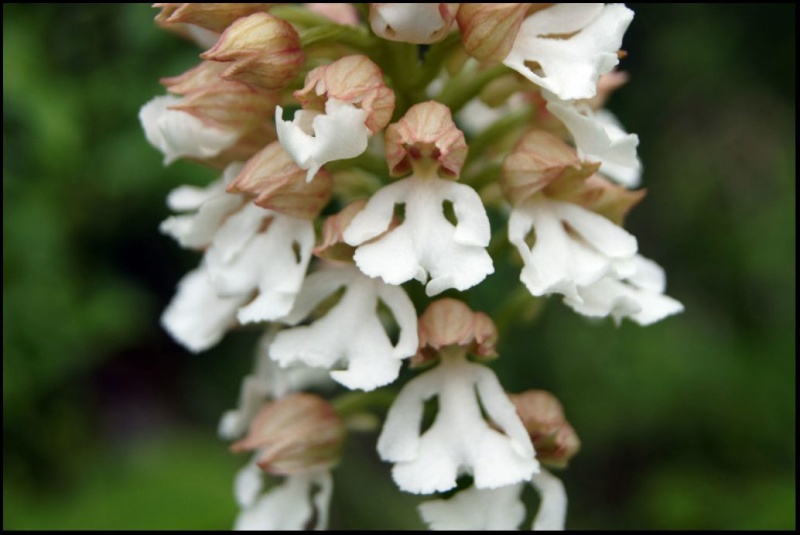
426, 138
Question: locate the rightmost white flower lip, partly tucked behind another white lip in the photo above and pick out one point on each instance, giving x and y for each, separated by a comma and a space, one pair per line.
638, 296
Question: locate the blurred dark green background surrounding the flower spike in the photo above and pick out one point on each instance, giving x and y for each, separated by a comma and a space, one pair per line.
688, 424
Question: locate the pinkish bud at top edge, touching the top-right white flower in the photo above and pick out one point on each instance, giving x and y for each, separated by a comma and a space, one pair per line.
488, 30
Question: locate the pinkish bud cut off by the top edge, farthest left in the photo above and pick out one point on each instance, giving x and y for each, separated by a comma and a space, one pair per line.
214, 17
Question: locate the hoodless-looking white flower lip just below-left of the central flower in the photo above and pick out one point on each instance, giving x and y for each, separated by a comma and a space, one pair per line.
351, 332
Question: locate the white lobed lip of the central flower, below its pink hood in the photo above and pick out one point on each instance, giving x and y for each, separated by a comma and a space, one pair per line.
425, 243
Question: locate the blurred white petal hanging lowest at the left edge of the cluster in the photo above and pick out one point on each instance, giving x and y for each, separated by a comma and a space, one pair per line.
197, 317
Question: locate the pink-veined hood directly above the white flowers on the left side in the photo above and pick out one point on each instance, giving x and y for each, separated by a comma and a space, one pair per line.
279, 185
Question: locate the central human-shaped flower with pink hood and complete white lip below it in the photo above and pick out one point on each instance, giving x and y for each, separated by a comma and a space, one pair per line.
425, 244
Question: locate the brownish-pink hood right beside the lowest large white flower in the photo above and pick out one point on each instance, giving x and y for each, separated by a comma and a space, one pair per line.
554, 439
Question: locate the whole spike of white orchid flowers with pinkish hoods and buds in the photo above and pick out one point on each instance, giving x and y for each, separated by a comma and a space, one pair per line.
362, 148
